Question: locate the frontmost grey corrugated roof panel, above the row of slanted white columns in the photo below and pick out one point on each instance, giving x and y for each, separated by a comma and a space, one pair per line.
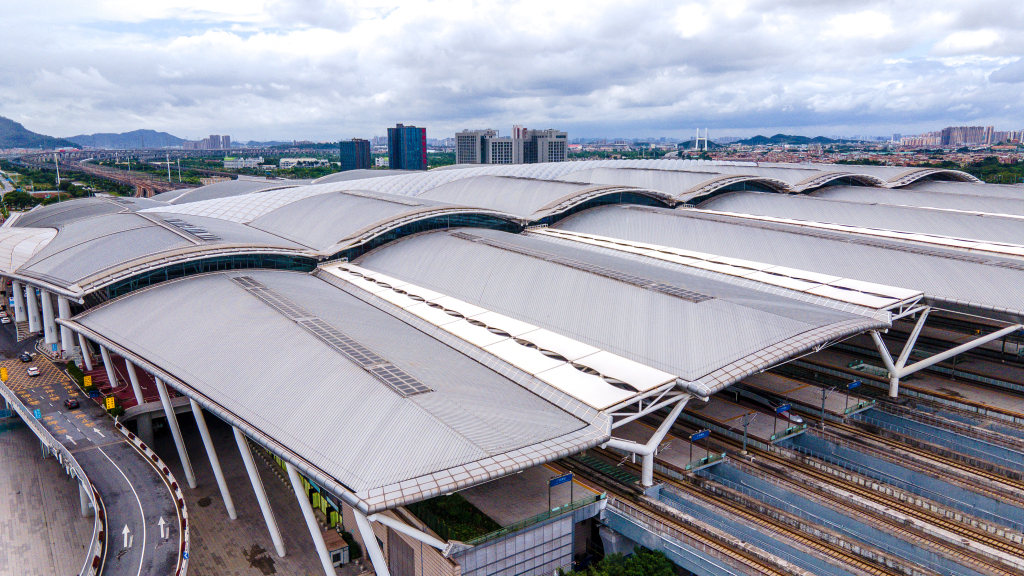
317, 402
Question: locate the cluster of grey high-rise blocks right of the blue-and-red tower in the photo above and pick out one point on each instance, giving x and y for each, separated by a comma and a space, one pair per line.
525, 147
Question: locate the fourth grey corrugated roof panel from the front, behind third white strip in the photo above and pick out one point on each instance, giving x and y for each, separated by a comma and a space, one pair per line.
992, 229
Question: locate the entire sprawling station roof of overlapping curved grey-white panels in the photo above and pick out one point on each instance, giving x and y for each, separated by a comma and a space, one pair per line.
456, 338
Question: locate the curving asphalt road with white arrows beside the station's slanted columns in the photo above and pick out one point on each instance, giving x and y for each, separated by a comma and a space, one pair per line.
134, 492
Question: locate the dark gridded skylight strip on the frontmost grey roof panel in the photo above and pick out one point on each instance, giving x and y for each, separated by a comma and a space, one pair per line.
396, 379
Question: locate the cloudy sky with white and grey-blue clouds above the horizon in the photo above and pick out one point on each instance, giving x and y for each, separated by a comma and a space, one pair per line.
333, 69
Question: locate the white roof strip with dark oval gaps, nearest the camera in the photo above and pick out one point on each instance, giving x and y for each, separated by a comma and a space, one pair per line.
600, 379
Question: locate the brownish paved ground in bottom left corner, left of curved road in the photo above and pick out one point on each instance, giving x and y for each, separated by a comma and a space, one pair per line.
42, 531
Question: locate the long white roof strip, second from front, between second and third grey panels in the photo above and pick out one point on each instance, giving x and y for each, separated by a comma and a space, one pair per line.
867, 295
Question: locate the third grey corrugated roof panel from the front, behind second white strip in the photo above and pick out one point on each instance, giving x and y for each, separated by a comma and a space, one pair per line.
941, 278
